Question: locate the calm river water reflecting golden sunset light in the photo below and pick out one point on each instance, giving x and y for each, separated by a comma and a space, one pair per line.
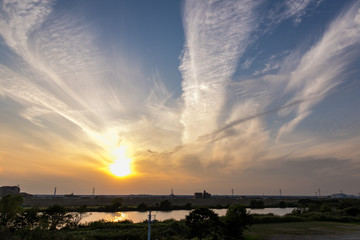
136, 217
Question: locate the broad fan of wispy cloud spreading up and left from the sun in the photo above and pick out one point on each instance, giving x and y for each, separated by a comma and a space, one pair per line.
57, 71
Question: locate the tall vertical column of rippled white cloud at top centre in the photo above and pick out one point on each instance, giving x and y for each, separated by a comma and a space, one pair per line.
217, 33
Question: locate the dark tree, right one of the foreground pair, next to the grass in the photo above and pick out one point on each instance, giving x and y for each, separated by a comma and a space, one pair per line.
236, 220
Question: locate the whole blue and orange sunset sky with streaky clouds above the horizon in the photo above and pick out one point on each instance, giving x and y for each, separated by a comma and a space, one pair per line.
141, 97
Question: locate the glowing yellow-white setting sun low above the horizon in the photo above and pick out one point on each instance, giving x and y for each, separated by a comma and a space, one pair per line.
121, 166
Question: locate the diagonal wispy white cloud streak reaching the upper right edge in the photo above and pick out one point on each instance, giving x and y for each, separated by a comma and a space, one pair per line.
324, 66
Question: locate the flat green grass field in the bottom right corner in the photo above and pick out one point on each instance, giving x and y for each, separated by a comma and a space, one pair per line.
303, 230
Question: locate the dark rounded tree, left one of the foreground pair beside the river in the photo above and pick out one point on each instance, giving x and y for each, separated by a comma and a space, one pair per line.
202, 222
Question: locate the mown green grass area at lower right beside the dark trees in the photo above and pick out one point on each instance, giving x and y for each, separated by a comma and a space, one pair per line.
263, 231
